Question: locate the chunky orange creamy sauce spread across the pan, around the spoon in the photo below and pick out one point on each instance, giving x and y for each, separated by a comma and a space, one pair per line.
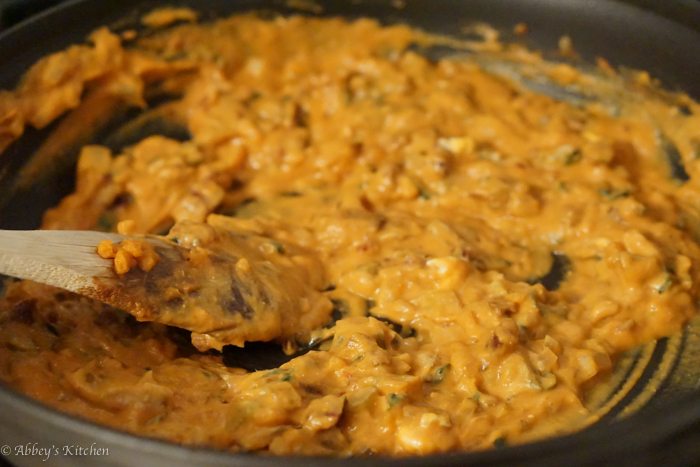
431, 194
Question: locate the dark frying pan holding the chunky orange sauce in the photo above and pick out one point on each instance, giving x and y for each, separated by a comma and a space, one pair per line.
662, 37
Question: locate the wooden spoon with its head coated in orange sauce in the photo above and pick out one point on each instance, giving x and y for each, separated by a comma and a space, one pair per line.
201, 289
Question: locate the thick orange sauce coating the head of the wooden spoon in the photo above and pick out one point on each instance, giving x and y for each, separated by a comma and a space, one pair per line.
221, 280
